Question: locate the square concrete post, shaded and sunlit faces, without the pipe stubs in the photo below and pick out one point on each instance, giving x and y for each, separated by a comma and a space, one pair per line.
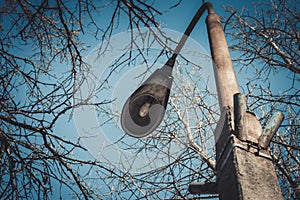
244, 170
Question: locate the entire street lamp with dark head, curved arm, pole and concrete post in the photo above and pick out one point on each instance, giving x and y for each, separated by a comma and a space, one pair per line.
242, 156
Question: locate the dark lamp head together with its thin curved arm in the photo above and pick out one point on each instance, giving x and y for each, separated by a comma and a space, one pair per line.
145, 108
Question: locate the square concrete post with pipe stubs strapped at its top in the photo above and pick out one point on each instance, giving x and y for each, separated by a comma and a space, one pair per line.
244, 166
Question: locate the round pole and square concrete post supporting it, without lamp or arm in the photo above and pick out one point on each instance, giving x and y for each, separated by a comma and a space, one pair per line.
244, 166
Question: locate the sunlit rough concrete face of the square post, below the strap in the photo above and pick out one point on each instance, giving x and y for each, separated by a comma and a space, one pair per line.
256, 176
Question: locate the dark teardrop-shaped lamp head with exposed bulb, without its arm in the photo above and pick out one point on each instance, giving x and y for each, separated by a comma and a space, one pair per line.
145, 108
